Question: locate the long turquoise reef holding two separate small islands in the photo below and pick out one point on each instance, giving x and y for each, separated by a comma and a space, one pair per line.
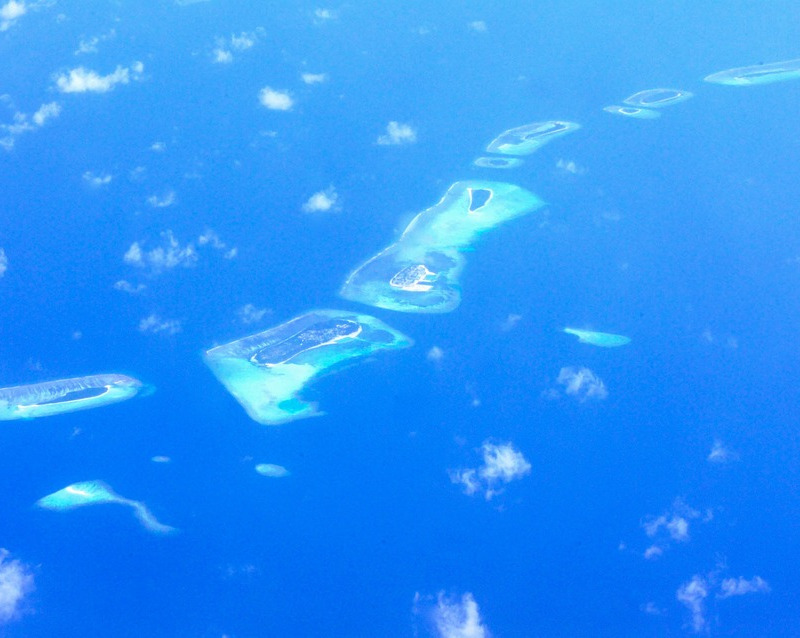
420, 271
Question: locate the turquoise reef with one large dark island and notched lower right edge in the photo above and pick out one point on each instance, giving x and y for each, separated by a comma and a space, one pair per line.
266, 372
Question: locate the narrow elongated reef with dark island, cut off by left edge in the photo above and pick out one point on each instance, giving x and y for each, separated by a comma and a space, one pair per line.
65, 395
